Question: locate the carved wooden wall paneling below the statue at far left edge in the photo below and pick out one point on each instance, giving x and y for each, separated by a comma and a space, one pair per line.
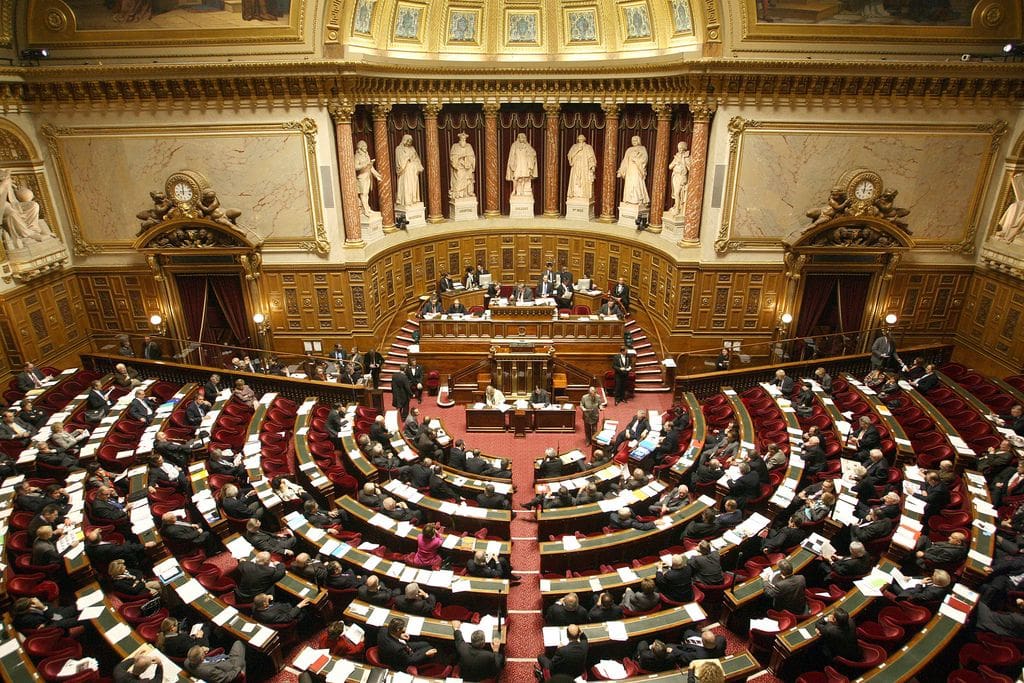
45, 322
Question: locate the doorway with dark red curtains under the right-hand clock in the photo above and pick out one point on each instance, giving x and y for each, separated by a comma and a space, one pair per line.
832, 312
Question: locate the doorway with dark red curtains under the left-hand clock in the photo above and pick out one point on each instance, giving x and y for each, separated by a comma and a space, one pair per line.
214, 312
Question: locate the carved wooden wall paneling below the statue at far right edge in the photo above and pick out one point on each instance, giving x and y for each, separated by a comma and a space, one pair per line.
992, 328
